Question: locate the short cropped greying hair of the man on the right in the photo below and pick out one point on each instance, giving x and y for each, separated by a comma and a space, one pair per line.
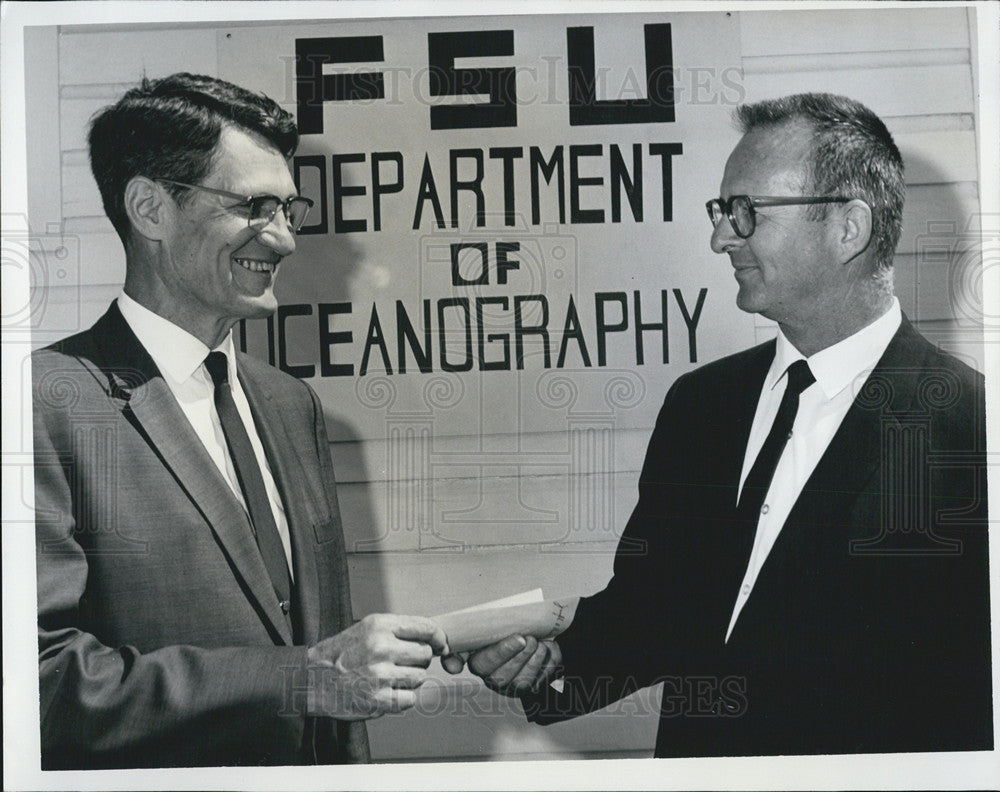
852, 155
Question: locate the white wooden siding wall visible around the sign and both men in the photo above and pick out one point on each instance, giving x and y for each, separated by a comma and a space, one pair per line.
917, 77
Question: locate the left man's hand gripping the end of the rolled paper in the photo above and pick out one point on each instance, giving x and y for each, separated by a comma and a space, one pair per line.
372, 668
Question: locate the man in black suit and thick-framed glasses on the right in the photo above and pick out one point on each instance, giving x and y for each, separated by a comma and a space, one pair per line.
806, 570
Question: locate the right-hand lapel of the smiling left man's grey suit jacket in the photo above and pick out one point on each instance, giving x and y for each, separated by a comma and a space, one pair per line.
288, 474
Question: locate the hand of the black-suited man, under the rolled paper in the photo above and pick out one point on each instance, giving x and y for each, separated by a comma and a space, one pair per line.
516, 665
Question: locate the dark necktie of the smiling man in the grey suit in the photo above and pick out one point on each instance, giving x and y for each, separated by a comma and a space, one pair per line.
251, 480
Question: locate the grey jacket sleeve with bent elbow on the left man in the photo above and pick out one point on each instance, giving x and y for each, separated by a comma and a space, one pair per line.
114, 706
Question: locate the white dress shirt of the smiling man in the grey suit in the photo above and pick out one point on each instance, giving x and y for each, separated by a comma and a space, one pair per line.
180, 357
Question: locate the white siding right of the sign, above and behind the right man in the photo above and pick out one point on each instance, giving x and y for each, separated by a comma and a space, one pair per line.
918, 78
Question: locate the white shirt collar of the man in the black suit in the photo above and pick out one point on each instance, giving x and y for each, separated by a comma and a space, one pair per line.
837, 366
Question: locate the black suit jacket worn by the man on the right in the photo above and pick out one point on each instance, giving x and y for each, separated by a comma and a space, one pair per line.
868, 628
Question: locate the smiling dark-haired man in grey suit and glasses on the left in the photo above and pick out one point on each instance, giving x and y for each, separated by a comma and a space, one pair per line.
194, 606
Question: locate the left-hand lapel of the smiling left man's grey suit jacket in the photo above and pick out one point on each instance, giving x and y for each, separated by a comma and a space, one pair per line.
146, 401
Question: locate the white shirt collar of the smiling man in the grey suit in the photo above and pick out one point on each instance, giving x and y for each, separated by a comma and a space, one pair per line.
176, 352
